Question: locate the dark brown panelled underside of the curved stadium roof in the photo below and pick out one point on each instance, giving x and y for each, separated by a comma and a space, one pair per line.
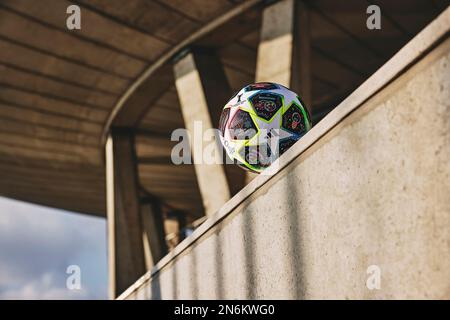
59, 87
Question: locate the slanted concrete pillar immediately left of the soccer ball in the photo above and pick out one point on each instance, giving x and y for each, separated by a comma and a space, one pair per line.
203, 90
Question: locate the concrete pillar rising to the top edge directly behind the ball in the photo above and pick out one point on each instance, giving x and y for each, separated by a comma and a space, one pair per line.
284, 49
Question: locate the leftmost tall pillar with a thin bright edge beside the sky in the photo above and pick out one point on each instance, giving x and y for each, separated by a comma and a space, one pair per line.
125, 246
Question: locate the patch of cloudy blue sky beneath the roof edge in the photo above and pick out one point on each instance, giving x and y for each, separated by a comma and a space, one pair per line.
37, 244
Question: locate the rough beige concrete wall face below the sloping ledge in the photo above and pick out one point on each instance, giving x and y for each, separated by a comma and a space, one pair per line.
374, 191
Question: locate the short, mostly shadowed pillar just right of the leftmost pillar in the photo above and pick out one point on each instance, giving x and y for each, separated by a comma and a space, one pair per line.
153, 232
